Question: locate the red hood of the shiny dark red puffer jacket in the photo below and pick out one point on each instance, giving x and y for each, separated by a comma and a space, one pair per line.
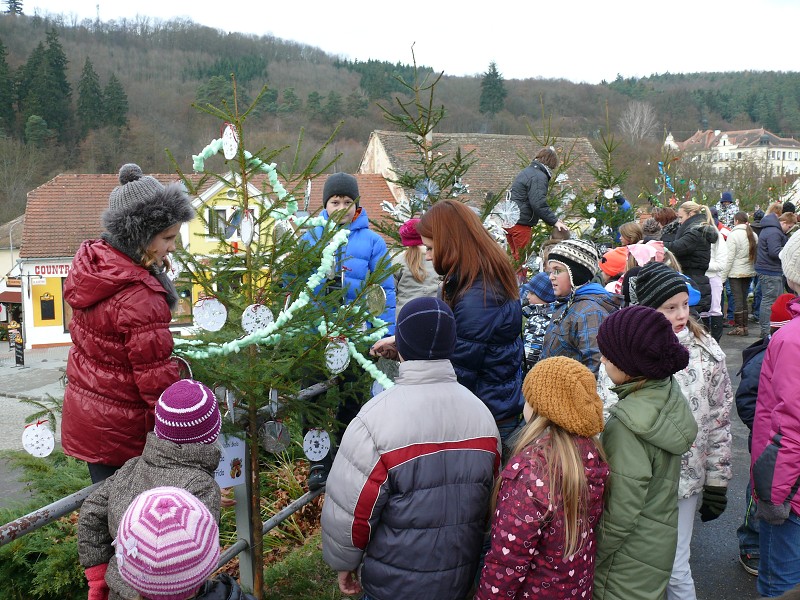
99, 271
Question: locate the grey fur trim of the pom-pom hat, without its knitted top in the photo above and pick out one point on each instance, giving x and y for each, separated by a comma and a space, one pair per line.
130, 228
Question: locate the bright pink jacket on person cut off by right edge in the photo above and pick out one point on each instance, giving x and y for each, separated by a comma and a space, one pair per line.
778, 417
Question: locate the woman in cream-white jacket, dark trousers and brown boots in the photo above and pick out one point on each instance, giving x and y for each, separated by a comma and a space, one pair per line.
740, 268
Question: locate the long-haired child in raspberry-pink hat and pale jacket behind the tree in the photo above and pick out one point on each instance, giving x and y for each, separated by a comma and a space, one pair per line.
416, 276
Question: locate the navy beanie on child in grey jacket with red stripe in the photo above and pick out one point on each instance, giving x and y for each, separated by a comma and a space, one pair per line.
425, 330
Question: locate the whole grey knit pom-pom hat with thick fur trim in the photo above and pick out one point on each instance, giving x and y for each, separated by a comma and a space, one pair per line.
139, 208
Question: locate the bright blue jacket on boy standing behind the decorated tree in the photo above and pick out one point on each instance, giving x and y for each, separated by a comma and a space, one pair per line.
360, 257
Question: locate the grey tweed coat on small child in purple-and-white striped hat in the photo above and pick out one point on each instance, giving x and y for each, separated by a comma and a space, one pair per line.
187, 466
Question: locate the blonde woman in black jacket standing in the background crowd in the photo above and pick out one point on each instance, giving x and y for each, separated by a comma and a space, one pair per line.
692, 247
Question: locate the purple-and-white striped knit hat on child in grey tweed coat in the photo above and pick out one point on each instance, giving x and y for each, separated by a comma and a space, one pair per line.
187, 413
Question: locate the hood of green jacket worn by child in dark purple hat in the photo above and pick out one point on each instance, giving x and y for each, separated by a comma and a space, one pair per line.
658, 413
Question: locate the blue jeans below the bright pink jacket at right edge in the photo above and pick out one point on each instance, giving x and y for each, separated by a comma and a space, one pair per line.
779, 566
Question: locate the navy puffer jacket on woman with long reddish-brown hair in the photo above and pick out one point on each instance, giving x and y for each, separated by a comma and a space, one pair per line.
489, 350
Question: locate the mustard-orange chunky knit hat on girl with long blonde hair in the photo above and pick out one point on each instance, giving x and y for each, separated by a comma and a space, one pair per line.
565, 391
